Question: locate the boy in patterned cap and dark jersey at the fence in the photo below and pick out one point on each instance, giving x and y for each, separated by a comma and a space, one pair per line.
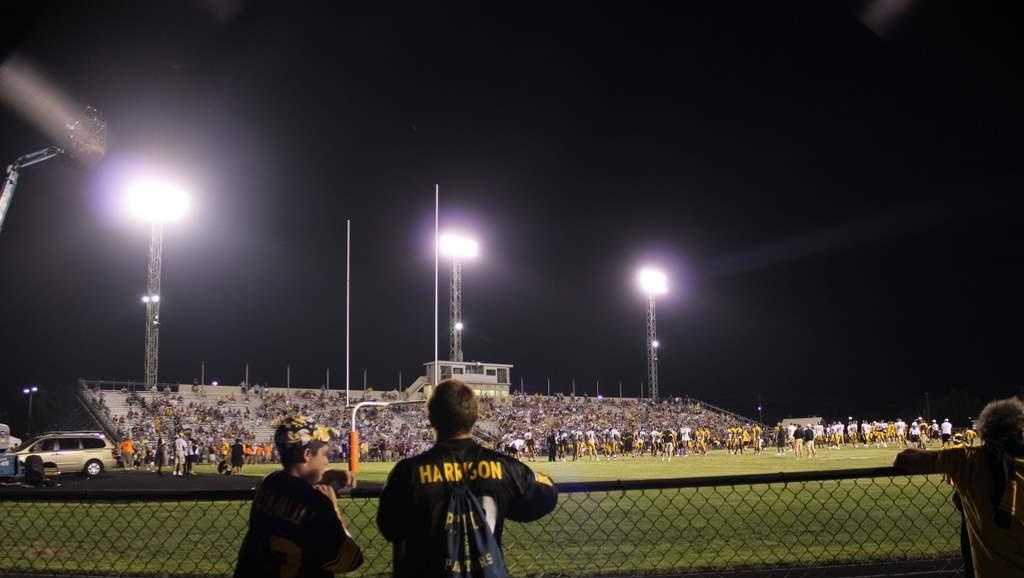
295, 529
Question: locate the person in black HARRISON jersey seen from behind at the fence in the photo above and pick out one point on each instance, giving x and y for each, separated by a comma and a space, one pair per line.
423, 492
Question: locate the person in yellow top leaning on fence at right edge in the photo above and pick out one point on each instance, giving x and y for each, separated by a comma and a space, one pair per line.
990, 481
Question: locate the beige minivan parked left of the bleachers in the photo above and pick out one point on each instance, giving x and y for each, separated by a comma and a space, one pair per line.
89, 453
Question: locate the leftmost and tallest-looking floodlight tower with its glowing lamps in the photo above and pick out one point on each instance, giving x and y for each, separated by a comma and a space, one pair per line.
156, 202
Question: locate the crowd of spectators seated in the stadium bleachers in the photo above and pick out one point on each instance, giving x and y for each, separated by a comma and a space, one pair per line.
214, 421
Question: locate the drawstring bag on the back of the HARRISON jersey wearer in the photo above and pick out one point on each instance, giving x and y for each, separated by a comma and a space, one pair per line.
472, 551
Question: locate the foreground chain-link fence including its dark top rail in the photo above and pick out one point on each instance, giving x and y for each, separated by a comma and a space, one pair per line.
845, 523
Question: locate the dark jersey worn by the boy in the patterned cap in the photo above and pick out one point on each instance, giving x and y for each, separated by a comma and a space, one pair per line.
294, 532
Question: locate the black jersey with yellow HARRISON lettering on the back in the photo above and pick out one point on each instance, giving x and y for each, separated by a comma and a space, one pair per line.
416, 498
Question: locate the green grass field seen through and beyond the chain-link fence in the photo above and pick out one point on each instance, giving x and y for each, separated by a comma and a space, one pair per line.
636, 532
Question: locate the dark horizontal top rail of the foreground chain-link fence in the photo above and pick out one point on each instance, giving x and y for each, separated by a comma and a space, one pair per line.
57, 494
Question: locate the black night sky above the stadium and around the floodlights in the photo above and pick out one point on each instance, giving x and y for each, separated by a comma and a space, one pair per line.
839, 212
